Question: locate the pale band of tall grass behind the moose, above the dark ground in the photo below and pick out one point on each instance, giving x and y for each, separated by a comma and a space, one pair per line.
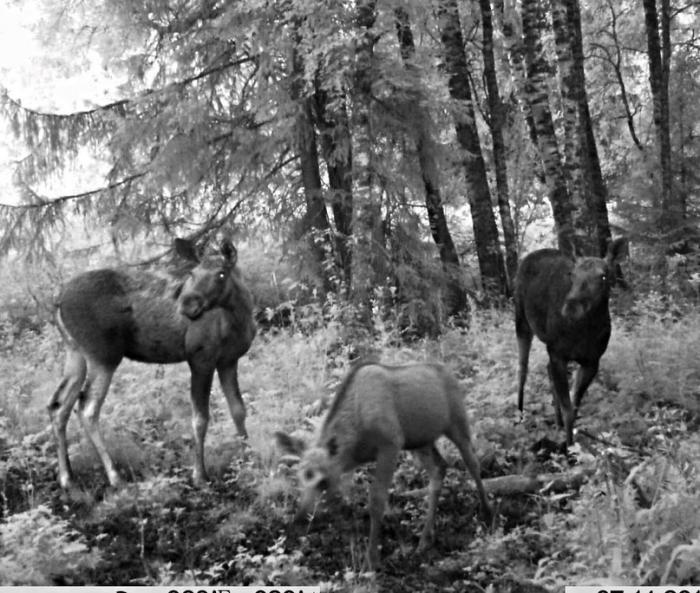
287, 380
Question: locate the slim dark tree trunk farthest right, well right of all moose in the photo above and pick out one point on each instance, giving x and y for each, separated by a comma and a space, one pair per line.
671, 212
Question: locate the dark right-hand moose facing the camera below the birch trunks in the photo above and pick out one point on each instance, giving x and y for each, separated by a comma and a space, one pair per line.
564, 301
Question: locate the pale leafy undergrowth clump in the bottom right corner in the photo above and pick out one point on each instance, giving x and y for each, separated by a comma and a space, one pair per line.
637, 520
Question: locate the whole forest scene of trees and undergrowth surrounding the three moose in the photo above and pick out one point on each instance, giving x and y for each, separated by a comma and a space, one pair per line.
381, 168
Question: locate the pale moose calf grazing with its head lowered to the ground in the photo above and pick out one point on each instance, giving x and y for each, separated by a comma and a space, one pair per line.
378, 411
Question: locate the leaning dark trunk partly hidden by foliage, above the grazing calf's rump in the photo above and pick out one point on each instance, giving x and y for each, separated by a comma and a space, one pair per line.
456, 297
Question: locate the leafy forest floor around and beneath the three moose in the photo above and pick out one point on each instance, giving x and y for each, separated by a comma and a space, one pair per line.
635, 520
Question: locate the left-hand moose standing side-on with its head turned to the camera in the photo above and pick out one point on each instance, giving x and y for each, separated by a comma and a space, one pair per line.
106, 315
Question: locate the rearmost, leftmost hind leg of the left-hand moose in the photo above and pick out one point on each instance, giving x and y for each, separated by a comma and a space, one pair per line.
60, 407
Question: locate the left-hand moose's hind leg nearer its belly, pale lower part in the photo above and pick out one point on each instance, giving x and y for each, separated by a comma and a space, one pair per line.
98, 379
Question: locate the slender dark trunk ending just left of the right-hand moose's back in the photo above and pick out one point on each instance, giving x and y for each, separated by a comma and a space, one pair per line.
496, 123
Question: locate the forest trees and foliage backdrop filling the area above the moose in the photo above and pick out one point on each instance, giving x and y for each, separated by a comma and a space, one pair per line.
360, 131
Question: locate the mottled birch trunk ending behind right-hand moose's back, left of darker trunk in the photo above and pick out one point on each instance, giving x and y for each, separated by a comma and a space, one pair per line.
537, 95
